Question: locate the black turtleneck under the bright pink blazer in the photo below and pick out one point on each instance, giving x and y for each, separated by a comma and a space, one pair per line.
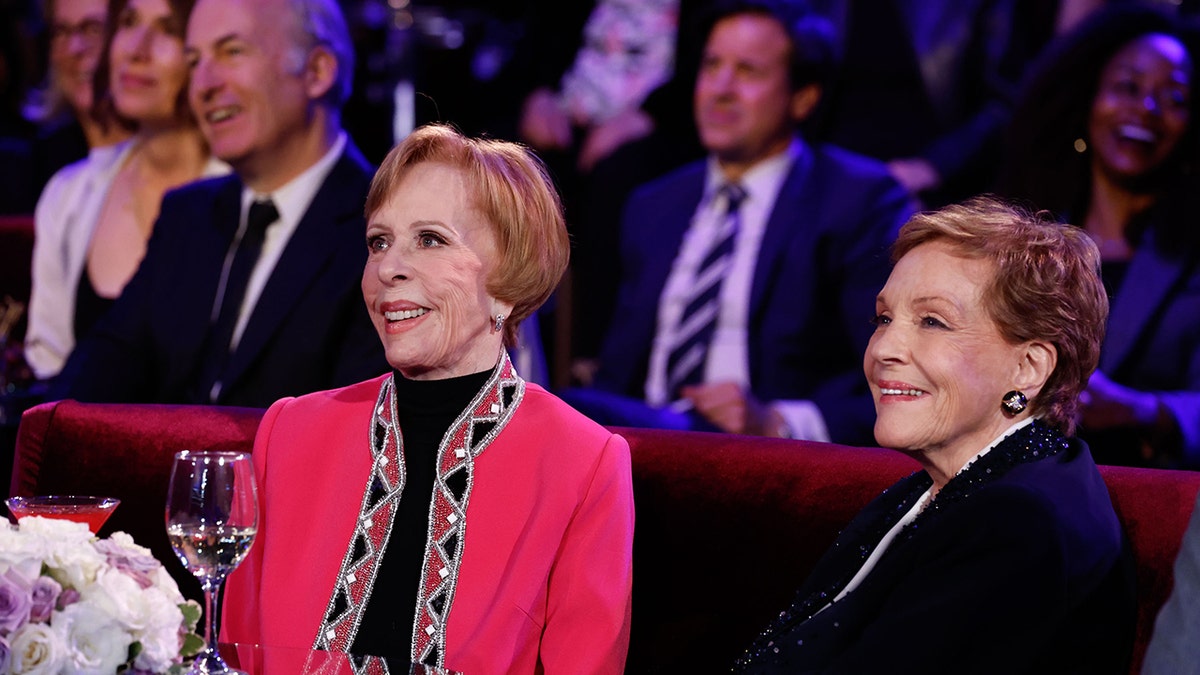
425, 409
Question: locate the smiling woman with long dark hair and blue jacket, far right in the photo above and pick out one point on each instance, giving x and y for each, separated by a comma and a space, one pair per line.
1106, 139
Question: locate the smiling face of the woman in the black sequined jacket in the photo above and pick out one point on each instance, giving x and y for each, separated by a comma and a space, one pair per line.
938, 365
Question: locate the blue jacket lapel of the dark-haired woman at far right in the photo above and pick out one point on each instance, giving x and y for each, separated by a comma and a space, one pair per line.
1148, 284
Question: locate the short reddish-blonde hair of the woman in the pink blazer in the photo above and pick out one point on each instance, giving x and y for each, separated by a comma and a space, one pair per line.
517, 196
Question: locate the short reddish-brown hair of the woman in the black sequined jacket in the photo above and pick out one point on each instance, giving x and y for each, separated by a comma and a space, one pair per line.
1047, 286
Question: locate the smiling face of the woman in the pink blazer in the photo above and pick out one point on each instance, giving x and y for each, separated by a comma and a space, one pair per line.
430, 254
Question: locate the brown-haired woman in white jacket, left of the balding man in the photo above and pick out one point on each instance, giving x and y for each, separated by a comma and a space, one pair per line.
95, 217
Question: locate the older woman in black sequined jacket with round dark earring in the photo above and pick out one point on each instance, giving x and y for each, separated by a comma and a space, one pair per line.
1005, 554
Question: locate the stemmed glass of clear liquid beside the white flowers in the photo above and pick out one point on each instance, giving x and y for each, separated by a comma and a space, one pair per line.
212, 521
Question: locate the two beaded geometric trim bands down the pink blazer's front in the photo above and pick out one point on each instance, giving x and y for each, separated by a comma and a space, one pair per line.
469, 437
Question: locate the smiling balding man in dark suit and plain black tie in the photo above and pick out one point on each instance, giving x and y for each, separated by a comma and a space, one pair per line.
250, 290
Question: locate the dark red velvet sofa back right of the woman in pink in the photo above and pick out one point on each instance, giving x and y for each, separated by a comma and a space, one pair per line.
729, 528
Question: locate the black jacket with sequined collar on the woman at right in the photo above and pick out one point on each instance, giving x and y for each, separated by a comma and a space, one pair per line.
1018, 566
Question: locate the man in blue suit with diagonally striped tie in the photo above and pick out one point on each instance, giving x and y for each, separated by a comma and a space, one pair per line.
749, 279
